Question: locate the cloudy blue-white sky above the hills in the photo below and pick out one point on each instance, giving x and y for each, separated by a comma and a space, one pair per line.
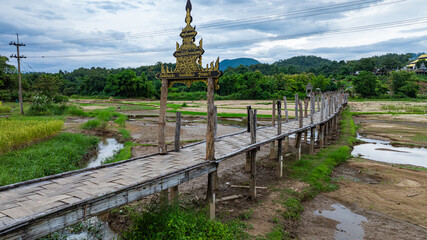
68, 34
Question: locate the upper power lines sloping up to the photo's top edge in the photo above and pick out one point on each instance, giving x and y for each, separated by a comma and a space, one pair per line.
355, 5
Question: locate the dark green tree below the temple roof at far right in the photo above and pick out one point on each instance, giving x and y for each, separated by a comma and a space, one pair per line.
403, 84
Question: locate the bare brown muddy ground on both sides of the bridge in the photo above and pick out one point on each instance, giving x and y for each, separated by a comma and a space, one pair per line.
391, 199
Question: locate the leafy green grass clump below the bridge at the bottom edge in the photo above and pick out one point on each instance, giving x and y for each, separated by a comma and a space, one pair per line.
159, 221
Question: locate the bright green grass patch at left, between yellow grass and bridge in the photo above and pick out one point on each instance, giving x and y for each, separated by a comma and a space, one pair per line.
60, 154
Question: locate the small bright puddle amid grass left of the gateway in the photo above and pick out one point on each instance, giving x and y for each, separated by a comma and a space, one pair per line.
106, 148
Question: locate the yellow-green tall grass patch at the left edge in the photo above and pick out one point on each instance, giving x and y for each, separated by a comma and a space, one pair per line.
18, 132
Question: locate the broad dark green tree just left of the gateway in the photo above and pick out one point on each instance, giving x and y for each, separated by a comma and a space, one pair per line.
127, 84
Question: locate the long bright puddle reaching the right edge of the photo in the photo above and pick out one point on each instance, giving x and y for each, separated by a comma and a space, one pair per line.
382, 151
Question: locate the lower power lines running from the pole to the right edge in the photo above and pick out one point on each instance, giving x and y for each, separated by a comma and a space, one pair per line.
363, 28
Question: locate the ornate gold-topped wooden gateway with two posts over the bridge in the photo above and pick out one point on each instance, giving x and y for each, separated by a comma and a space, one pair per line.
188, 70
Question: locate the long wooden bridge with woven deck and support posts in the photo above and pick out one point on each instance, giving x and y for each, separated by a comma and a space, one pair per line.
35, 208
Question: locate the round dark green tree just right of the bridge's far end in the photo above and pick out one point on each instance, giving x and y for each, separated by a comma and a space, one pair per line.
366, 84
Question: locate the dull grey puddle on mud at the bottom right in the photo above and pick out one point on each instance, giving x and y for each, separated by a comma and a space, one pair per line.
349, 226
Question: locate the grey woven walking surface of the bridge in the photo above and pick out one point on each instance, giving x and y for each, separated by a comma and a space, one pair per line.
26, 202
